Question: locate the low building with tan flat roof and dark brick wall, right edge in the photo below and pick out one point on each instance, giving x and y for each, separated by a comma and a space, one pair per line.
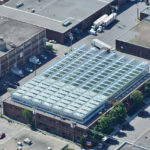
136, 40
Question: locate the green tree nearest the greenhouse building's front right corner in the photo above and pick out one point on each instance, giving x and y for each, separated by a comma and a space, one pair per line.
104, 125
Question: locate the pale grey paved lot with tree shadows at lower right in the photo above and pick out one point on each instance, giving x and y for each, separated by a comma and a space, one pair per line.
137, 131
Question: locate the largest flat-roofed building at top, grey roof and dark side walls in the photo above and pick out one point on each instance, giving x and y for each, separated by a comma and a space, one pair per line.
59, 18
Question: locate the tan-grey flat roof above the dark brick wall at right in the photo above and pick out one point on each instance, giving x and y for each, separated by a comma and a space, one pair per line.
138, 35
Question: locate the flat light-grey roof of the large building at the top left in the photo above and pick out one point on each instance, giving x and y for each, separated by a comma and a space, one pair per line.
52, 13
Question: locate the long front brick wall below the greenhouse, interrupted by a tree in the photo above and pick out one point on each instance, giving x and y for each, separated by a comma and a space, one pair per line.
51, 124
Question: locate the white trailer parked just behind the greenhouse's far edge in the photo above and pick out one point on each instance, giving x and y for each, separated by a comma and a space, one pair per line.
99, 44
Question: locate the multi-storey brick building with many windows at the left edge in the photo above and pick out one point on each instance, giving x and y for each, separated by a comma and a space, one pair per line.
18, 41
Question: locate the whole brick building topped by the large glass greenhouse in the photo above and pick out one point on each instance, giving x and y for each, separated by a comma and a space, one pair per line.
68, 96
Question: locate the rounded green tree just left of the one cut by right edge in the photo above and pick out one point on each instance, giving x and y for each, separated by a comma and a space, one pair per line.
136, 98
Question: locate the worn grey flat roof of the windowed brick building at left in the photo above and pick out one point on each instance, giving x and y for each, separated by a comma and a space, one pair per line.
15, 33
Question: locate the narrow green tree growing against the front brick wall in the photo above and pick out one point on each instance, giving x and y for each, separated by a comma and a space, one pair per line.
28, 116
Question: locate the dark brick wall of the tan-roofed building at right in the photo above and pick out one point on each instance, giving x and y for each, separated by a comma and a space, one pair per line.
133, 49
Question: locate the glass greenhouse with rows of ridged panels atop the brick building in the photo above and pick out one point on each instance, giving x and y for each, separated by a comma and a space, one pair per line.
78, 85
